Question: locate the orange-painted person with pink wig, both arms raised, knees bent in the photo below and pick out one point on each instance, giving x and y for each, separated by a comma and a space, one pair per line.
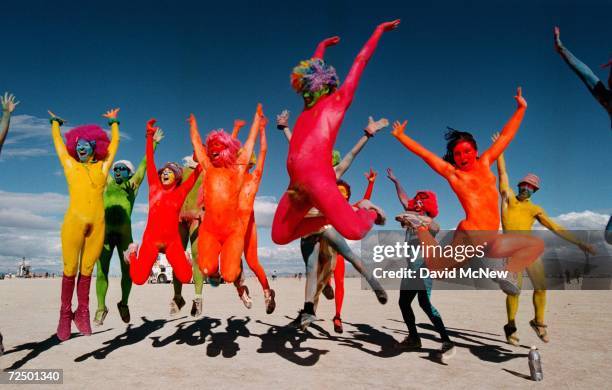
221, 233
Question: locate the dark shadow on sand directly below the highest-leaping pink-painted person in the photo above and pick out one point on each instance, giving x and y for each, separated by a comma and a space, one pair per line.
286, 342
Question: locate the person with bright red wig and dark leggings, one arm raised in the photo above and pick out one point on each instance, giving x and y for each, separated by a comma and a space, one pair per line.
424, 203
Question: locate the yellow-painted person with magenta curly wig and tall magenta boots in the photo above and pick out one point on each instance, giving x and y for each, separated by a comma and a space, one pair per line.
86, 159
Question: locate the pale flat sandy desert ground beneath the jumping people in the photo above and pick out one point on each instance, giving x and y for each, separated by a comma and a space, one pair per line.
232, 347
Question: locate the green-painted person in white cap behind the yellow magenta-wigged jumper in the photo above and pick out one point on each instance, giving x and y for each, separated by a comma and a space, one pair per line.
121, 190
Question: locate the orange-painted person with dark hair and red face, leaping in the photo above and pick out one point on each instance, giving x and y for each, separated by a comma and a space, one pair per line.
470, 177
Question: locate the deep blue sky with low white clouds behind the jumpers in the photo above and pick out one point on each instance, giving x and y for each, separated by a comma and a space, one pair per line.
449, 64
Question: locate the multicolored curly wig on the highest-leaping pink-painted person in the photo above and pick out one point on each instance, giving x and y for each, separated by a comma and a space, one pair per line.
313, 75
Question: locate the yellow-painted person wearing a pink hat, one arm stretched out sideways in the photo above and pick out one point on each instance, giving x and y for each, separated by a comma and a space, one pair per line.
518, 215
